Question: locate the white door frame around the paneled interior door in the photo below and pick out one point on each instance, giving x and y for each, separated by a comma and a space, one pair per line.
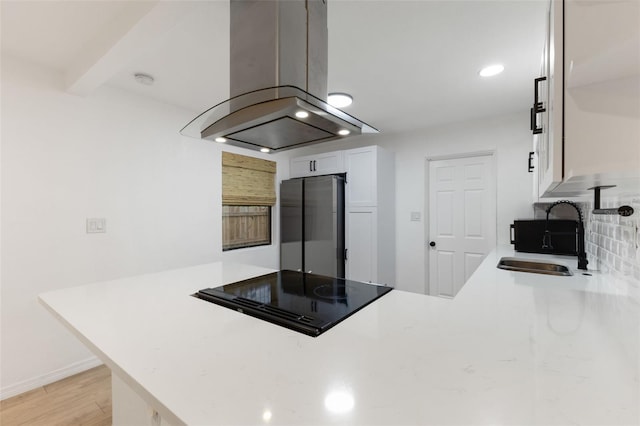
453, 156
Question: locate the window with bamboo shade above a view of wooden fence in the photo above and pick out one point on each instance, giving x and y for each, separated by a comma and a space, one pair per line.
248, 192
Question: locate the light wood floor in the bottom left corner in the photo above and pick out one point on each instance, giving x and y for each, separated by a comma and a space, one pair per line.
83, 399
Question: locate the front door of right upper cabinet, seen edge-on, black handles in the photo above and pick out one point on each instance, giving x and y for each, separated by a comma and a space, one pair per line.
549, 150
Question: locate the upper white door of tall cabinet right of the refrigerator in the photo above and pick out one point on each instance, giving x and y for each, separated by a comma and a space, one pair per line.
361, 166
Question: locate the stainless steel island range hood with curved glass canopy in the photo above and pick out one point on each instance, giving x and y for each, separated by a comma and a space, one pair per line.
278, 80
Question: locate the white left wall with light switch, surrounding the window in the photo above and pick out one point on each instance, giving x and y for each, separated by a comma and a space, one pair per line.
112, 155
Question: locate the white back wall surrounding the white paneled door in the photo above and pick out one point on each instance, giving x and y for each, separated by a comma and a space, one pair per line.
507, 135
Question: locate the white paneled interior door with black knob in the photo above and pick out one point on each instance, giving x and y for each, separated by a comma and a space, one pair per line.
462, 220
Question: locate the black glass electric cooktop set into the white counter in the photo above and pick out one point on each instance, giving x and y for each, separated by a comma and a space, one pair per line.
308, 303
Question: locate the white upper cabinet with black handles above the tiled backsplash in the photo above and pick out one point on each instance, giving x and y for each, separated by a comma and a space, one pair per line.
591, 119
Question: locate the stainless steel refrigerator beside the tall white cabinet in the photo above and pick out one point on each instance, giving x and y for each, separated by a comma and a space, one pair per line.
312, 225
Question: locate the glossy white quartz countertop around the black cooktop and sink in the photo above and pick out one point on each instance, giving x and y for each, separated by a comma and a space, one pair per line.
511, 348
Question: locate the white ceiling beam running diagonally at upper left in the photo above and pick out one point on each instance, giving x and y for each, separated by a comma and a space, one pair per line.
141, 29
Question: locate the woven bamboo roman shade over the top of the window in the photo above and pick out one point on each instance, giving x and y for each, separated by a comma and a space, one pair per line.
247, 181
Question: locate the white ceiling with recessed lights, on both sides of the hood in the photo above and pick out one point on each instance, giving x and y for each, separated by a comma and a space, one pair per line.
408, 64
